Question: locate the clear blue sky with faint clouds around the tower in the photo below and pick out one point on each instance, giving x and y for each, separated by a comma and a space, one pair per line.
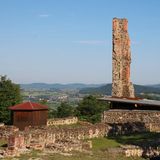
70, 41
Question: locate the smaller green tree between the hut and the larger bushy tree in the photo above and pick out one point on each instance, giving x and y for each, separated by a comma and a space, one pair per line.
65, 110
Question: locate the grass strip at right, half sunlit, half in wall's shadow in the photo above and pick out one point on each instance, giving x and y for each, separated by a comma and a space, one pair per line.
140, 139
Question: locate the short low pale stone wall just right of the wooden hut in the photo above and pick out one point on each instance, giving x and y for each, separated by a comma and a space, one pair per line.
62, 121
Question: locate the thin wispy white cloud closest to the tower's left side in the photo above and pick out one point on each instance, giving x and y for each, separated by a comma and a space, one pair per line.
91, 42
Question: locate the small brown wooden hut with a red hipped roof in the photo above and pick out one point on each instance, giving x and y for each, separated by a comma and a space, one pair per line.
29, 114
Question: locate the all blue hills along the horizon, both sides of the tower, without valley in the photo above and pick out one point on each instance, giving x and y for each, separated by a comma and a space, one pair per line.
88, 88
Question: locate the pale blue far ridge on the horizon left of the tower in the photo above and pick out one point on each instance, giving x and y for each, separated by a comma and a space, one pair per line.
45, 86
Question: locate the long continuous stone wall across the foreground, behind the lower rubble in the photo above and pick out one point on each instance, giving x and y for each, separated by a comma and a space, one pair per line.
52, 134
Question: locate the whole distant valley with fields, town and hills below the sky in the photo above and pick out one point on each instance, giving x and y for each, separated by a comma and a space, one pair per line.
75, 92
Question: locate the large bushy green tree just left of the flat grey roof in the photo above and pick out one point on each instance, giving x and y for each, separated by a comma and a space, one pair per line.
90, 109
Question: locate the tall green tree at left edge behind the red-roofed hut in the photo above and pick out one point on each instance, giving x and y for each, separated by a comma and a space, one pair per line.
9, 96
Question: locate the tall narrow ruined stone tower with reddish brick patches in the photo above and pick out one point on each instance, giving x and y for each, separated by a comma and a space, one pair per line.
121, 60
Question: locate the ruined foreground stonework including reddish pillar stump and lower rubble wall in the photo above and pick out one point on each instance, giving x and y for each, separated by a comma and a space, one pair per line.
55, 139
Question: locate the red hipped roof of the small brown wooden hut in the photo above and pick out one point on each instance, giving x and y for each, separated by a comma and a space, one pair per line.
28, 106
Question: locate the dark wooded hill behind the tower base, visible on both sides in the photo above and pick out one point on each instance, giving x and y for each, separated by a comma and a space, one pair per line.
106, 89
